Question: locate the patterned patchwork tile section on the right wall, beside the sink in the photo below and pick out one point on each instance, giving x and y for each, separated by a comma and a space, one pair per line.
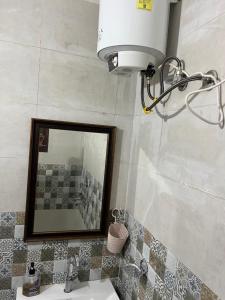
168, 278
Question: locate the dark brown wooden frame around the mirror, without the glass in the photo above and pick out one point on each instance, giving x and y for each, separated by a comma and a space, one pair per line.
36, 124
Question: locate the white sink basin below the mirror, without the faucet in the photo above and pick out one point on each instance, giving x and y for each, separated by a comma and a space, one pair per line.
90, 290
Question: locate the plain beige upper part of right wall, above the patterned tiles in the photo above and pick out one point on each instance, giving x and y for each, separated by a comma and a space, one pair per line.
176, 183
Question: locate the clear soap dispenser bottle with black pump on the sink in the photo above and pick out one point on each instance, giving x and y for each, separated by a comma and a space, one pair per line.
31, 284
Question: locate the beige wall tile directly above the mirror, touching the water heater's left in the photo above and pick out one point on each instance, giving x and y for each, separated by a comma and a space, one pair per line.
76, 83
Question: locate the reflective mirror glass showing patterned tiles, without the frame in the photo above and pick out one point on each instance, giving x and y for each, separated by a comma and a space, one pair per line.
70, 179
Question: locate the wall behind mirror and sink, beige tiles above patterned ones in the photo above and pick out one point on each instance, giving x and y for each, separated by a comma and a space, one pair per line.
49, 70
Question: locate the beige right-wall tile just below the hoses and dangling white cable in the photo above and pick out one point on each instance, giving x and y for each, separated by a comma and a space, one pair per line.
192, 152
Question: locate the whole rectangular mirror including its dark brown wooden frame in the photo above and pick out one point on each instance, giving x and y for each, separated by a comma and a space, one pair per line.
69, 180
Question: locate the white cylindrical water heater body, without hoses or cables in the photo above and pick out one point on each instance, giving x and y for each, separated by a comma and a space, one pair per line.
132, 33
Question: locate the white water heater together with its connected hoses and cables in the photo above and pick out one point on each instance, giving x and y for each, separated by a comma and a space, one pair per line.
132, 37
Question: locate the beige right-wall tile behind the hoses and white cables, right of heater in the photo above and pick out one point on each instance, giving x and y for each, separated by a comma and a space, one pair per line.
202, 50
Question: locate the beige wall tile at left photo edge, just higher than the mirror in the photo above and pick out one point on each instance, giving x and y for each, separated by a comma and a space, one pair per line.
19, 67
